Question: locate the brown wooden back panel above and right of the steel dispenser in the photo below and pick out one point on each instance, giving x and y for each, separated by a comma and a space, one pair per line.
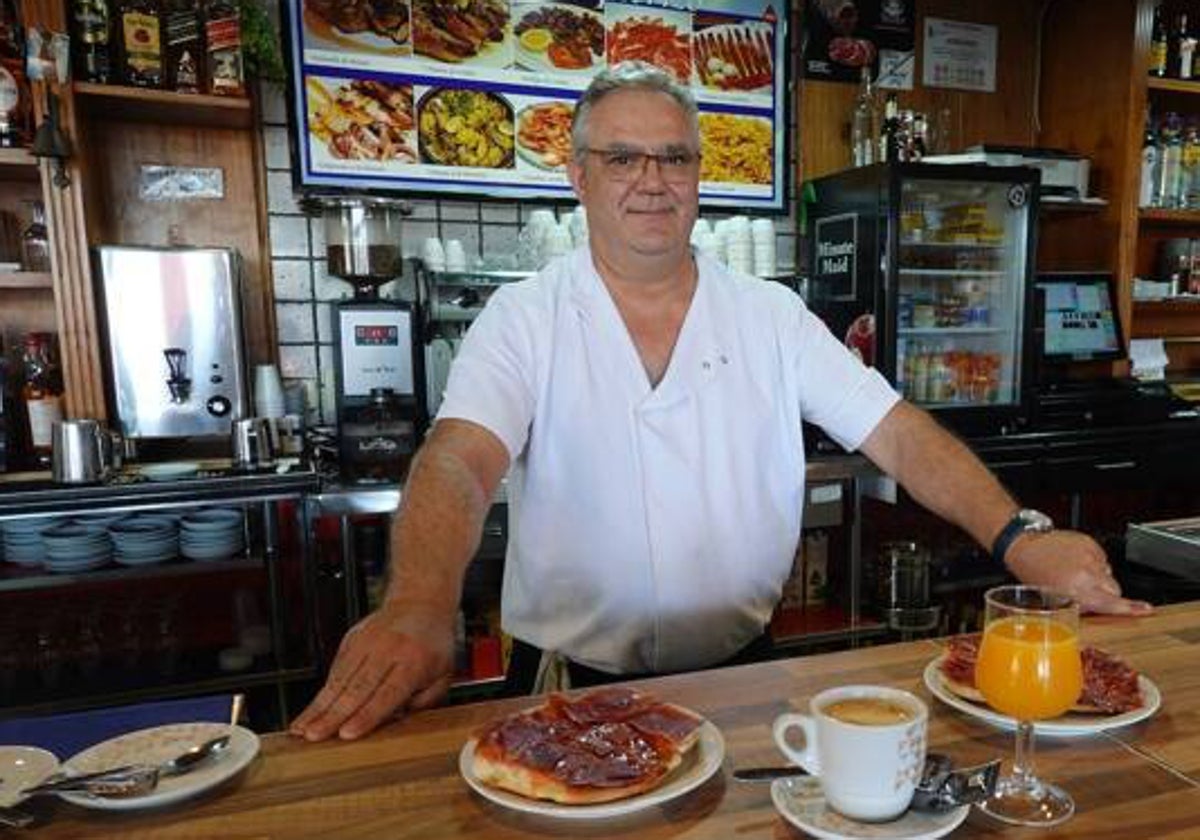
227, 223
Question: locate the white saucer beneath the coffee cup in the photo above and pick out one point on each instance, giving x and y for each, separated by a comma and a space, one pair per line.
802, 803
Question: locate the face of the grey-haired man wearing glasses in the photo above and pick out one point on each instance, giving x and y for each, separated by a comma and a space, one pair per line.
647, 207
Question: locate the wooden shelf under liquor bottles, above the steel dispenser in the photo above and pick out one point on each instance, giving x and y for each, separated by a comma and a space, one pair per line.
139, 105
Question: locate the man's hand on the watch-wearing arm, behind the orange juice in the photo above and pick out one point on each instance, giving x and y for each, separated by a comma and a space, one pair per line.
1075, 565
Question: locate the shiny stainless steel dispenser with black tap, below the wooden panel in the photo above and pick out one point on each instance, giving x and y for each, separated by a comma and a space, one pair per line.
175, 345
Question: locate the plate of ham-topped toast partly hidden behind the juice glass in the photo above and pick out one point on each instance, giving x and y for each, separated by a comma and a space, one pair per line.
1114, 694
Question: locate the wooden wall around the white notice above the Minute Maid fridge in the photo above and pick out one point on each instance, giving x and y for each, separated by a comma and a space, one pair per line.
1005, 117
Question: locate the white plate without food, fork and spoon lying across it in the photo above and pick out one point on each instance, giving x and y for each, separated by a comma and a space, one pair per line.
157, 746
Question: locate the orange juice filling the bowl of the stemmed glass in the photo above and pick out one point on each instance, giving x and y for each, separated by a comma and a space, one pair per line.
1029, 668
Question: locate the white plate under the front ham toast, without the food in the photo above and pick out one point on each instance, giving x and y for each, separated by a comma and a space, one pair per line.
699, 765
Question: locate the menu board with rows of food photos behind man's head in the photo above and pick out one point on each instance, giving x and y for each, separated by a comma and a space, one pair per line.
475, 98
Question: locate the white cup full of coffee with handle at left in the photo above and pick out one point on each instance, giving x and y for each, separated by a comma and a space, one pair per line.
867, 746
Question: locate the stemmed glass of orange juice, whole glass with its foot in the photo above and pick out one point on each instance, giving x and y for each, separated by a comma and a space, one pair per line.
1029, 669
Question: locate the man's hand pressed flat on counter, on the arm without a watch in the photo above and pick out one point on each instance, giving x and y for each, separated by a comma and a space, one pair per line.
398, 658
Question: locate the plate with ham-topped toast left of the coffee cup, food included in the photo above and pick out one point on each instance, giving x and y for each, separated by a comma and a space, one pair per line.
609, 753
